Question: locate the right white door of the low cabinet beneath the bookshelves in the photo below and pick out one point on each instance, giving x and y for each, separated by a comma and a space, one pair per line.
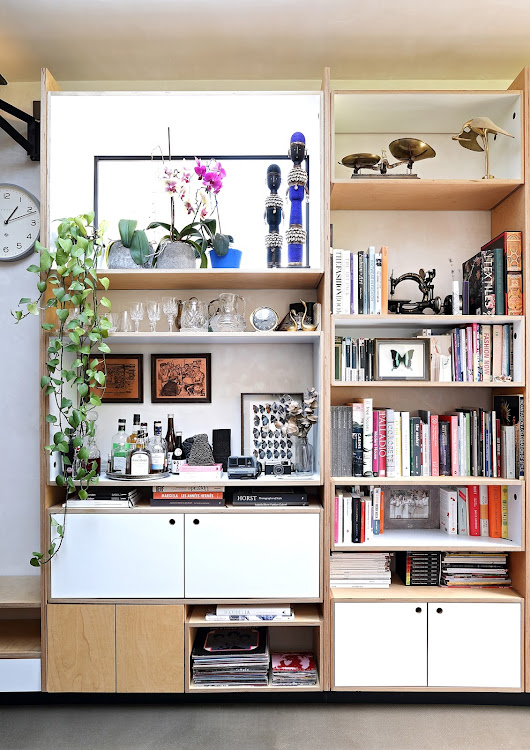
475, 645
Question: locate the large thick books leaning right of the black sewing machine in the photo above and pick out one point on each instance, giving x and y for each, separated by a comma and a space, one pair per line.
492, 279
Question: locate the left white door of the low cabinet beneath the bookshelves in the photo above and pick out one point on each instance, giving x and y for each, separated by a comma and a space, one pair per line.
380, 644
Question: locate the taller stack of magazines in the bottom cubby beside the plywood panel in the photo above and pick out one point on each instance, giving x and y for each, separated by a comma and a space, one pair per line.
231, 657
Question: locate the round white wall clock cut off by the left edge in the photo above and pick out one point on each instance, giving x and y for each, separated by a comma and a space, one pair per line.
19, 222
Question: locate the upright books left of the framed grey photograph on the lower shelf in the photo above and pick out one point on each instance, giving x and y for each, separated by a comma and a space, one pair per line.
358, 517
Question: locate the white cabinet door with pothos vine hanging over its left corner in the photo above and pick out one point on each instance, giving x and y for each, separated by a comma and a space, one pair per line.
116, 556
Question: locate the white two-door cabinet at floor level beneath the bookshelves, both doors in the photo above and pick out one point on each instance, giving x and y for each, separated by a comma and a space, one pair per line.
475, 645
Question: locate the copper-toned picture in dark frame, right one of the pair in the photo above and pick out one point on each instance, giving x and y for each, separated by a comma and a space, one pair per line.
181, 378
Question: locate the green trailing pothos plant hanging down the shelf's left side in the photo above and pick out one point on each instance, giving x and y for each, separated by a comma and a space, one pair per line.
75, 376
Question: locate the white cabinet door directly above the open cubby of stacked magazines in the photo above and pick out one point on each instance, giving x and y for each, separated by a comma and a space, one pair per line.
252, 555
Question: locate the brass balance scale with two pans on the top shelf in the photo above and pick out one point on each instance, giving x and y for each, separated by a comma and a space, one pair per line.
406, 150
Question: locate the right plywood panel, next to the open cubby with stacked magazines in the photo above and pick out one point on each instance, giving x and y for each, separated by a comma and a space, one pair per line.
149, 648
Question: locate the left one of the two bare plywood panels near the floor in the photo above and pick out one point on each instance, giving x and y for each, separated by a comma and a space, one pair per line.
81, 648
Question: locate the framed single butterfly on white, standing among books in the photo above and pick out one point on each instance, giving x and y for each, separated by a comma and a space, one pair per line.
402, 359
